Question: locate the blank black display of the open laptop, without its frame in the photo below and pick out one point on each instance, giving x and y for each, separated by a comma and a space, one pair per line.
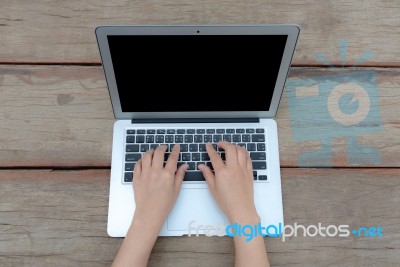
172, 73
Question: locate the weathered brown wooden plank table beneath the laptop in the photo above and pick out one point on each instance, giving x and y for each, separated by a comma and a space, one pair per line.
56, 130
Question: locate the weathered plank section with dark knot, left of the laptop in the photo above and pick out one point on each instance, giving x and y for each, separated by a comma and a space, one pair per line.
44, 110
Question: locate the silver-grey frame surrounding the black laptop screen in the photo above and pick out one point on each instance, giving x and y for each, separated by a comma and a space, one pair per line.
292, 31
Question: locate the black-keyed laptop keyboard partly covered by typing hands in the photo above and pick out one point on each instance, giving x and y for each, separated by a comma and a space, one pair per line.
193, 149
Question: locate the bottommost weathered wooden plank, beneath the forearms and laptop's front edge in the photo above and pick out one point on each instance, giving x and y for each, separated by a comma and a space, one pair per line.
58, 218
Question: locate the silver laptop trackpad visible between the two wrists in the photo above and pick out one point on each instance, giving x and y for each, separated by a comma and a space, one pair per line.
195, 207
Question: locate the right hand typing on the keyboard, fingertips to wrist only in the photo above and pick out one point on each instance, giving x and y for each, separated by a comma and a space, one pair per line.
232, 183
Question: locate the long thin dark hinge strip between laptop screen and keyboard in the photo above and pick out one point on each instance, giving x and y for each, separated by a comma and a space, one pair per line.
196, 120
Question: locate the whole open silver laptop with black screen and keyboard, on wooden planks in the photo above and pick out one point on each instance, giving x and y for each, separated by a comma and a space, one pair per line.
192, 85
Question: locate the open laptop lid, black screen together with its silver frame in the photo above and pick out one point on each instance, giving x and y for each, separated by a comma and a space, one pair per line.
196, 71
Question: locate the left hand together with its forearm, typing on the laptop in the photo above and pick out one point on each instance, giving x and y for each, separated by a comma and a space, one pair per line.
156, 188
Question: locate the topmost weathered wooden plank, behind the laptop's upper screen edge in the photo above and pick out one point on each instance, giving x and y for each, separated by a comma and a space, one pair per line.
46, 31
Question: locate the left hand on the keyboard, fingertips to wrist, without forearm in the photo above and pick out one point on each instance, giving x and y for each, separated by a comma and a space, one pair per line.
156, 187
